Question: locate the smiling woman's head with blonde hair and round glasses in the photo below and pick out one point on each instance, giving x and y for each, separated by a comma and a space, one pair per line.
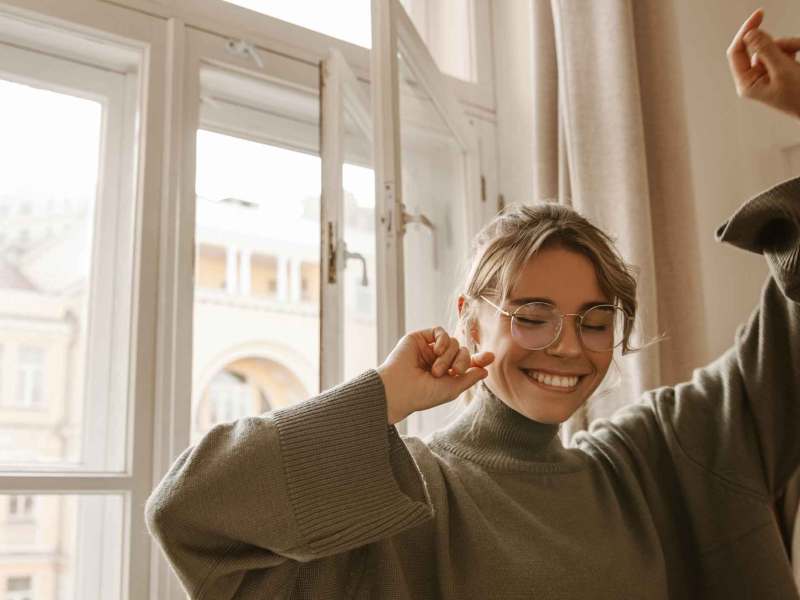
539, 260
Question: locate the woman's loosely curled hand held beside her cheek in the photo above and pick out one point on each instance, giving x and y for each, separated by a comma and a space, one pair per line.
427, 368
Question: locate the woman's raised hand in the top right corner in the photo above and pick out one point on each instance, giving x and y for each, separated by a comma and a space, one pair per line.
765, 69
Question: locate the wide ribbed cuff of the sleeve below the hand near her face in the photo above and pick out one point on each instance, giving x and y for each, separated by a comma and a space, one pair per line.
336, 454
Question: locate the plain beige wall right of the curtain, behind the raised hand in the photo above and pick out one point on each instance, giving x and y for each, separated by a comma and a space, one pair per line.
735, 148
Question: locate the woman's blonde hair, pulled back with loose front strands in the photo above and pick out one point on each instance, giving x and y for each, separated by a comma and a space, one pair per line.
503, 246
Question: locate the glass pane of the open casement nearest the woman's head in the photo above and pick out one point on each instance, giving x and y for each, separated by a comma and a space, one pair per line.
435, 248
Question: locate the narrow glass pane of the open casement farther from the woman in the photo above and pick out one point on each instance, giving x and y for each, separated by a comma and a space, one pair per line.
358, 180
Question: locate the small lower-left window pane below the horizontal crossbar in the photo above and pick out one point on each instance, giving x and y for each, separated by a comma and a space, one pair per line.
61, 547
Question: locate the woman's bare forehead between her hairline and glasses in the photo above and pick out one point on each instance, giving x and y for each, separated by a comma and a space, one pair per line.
568, 278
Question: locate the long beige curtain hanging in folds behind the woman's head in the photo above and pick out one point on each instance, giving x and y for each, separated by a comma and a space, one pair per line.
610, 139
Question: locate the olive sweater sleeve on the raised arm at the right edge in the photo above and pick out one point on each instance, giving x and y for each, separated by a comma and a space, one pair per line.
739, 417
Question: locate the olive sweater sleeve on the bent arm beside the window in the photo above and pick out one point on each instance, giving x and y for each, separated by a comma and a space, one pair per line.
264, 494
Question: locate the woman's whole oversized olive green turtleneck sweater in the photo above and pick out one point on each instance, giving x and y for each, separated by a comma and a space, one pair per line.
670, 498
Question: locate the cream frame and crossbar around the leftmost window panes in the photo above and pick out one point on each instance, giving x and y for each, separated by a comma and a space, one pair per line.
83, 21
